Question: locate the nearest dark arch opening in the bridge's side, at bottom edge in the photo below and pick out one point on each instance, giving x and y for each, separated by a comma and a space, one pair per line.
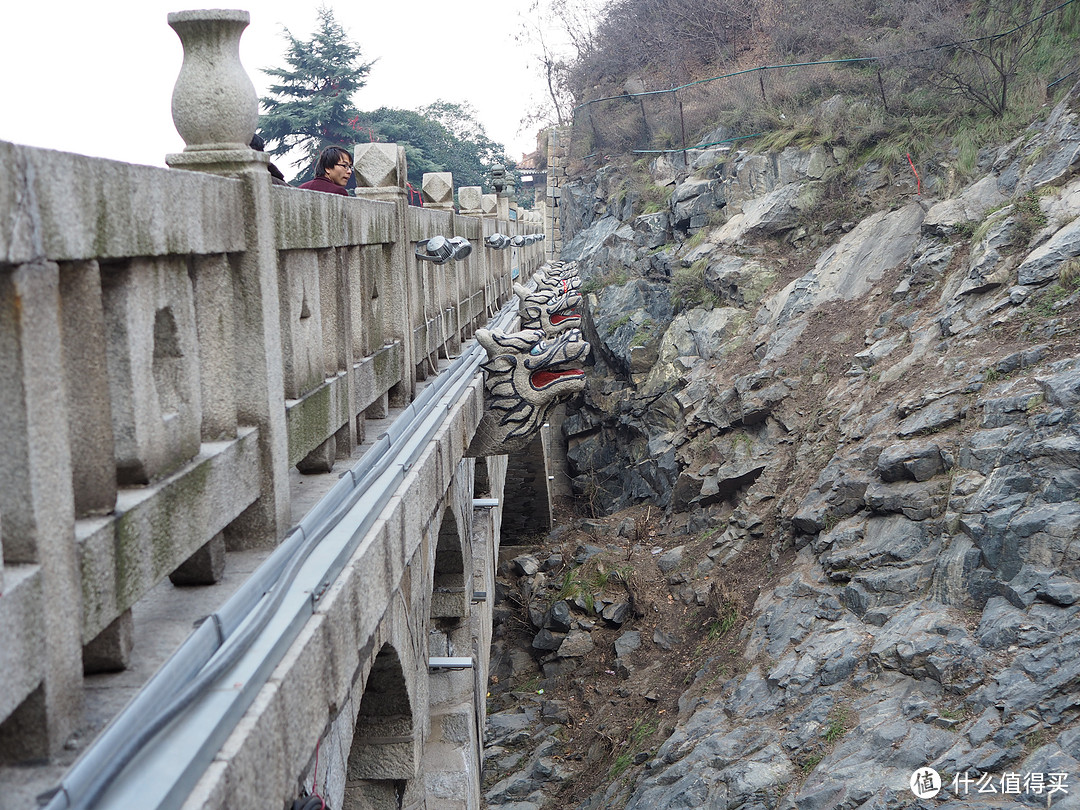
383, 754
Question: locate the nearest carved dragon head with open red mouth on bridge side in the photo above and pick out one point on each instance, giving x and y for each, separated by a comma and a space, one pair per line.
528, 375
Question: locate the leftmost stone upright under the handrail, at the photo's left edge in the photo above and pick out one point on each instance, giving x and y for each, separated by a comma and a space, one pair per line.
42, 607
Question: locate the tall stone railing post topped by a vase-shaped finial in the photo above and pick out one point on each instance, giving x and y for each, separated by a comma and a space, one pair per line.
215, 110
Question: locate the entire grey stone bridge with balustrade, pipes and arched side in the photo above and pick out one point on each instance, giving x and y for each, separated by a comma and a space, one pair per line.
191, 358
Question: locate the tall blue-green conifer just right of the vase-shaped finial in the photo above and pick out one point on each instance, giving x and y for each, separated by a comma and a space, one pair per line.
312, 106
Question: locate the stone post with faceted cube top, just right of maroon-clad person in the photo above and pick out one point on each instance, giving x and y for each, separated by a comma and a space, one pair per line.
382, 174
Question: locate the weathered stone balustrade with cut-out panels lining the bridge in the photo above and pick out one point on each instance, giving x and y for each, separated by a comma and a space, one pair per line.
172, 342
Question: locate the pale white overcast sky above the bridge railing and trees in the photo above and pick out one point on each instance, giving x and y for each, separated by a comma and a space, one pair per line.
97, 78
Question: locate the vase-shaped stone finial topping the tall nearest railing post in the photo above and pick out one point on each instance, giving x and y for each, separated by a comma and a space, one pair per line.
215, 106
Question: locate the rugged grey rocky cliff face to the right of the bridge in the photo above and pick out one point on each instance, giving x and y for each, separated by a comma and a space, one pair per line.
885, 408
